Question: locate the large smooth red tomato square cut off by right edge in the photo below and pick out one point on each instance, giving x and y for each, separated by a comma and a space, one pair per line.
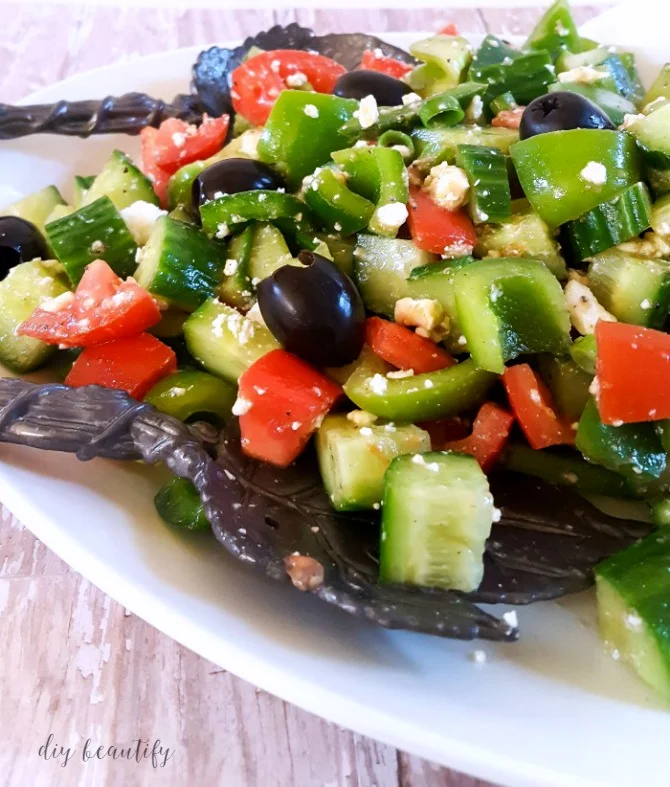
633, 373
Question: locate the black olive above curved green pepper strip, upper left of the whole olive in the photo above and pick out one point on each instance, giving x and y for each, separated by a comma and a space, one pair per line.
231, 176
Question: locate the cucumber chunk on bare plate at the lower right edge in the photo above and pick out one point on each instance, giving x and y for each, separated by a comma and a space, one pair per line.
632, 591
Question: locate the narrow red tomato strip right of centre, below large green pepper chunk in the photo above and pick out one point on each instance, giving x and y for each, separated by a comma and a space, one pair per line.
534, 408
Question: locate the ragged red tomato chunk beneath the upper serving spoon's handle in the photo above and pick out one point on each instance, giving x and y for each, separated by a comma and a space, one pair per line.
177, 143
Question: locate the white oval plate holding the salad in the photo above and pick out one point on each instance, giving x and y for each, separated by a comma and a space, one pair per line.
550, 710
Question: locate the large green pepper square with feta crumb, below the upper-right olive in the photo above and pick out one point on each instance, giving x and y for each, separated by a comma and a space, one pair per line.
550, 167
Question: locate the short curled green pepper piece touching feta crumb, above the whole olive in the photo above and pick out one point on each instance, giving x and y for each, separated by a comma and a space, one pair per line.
338, 207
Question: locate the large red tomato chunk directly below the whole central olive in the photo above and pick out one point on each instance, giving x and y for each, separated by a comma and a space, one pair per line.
283, 401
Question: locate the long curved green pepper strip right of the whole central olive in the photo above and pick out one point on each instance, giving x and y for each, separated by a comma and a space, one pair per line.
422, 397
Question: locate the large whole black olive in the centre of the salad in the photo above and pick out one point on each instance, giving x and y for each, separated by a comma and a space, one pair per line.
314, 310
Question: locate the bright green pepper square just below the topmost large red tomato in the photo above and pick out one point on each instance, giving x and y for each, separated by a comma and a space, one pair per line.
297, 139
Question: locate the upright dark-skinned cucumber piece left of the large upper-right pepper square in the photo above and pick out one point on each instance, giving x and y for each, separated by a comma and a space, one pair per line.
490, 197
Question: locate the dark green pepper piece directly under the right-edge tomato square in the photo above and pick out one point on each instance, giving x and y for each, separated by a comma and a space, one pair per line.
632, 450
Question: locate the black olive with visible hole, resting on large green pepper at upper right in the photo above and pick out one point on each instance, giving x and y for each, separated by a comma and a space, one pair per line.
561, 111
